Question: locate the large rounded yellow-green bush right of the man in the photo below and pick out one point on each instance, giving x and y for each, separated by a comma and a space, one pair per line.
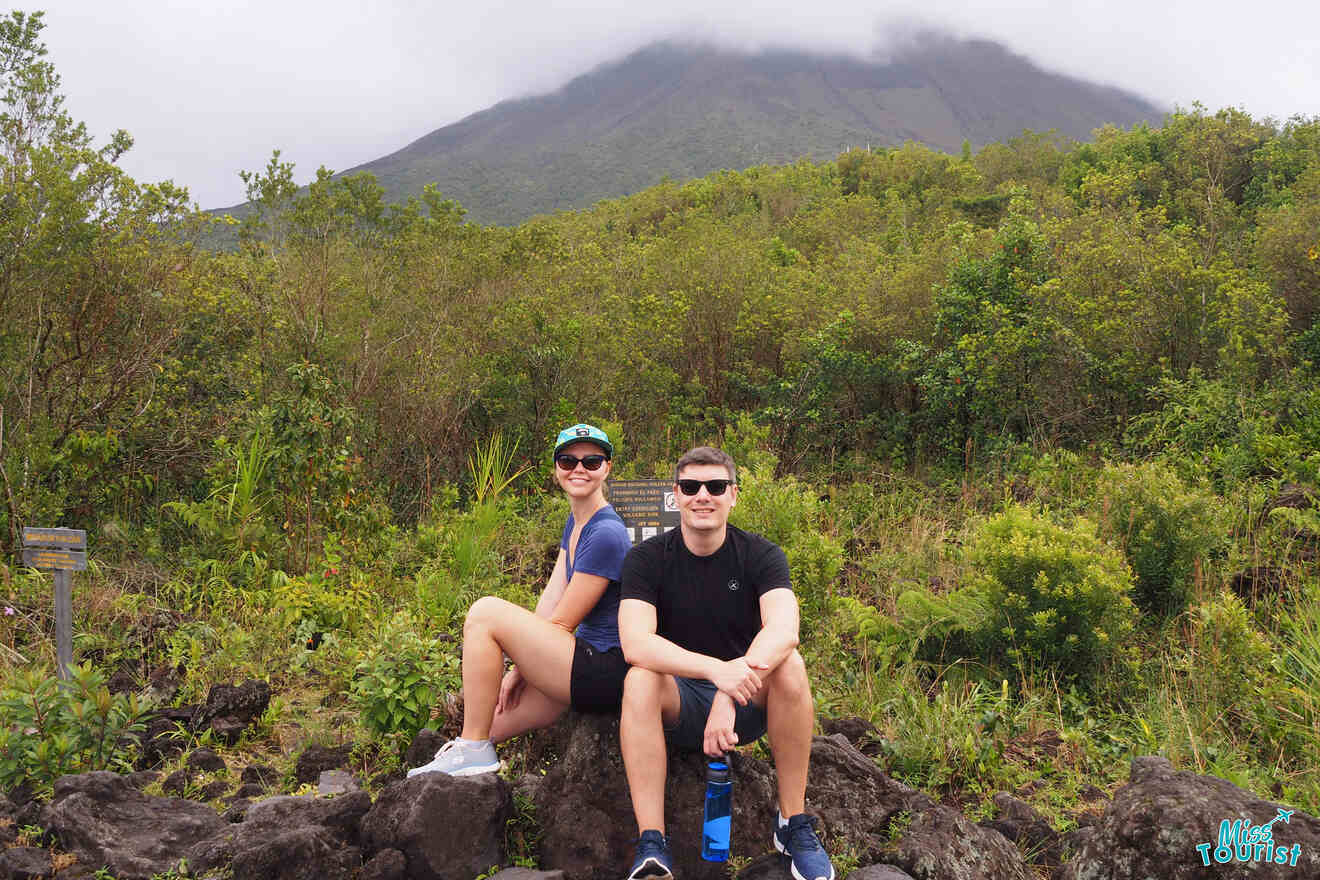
1055, 597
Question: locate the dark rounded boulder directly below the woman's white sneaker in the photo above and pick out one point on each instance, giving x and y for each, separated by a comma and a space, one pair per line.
449, 828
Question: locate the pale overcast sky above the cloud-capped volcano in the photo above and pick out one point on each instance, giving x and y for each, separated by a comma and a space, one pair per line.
211, 89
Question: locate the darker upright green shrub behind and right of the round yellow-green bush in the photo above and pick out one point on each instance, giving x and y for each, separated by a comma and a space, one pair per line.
1164, 528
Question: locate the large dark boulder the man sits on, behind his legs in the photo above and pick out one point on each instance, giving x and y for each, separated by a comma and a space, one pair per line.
583, 804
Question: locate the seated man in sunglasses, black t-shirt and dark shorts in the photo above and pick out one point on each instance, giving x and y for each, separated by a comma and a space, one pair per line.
709, 623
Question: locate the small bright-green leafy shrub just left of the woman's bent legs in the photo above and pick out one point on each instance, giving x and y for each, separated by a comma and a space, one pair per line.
401, 679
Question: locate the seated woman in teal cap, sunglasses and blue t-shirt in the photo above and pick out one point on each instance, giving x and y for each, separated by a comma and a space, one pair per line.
567, 654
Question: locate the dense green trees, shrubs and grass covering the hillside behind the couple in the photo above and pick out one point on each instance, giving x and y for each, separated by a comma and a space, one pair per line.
1038, 427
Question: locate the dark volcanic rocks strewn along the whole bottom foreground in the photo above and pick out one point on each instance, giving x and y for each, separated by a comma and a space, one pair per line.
438, 828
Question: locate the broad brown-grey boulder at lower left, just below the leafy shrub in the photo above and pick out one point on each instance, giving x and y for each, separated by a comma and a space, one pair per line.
105, 821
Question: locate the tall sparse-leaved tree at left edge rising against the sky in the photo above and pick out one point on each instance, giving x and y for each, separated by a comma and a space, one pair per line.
88, 262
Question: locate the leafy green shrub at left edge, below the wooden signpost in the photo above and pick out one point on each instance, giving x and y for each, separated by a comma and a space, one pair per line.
48, 730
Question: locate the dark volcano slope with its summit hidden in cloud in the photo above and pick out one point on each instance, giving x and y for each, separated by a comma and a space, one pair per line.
684, 111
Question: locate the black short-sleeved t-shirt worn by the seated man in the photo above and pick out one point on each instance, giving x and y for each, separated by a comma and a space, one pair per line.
707, 605
